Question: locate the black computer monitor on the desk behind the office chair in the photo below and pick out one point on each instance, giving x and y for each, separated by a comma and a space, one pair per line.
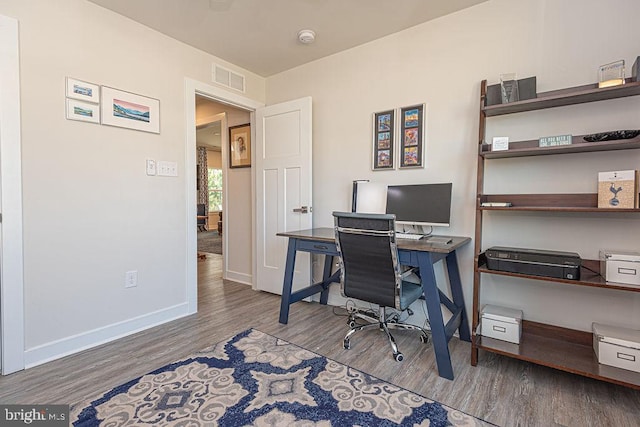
422, 204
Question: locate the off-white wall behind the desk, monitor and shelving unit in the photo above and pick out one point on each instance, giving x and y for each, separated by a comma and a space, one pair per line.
441, 63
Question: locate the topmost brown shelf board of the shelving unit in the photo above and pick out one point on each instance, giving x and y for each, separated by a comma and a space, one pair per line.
559, 98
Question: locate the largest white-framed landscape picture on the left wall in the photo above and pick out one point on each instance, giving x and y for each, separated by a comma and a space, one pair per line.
128, 110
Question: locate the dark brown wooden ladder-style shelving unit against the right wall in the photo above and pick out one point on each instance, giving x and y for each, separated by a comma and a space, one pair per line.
549, 345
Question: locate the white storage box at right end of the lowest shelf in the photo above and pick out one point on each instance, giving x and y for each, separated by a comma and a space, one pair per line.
619, 347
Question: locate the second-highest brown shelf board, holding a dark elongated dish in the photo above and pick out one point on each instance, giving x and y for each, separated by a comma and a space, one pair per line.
530, 148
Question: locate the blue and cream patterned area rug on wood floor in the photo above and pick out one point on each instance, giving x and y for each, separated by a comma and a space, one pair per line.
255, 379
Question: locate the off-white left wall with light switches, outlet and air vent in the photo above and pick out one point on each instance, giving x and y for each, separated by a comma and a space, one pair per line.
90, 211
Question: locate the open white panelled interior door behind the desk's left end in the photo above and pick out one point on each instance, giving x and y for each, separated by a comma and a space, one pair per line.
283, 189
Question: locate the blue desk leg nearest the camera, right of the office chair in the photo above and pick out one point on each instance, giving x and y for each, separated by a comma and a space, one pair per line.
438, 333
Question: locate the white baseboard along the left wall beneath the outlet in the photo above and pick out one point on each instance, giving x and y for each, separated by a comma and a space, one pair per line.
66, 346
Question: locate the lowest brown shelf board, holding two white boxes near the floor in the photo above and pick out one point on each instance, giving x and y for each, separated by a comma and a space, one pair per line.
559, 348
